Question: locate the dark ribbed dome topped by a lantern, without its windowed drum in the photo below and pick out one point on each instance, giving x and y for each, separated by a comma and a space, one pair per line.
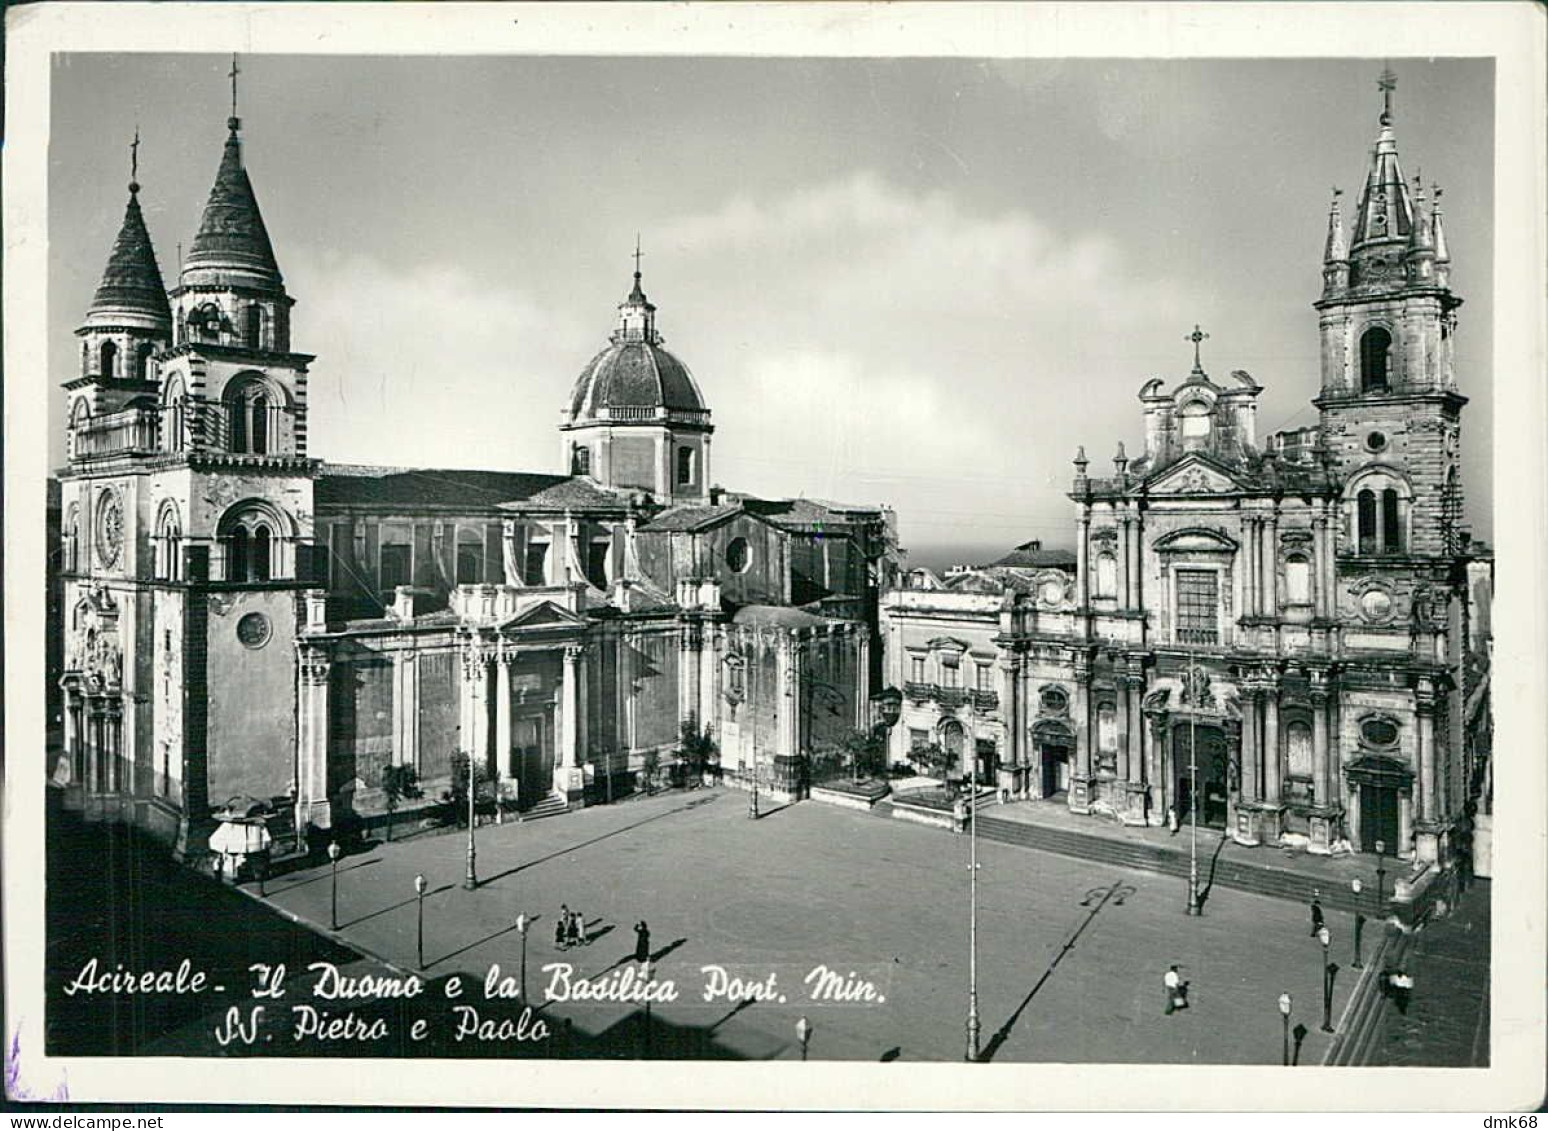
635, 377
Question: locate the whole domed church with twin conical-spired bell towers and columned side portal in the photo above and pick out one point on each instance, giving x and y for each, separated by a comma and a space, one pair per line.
245, 623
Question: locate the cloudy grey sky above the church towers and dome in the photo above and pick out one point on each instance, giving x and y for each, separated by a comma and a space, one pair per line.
911, 282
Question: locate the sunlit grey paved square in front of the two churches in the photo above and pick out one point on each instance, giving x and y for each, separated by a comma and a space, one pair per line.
1070, 954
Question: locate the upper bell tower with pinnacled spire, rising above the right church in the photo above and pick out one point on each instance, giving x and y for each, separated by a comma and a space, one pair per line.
1389, 401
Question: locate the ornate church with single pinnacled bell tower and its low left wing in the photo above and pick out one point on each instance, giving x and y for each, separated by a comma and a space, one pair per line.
1278, 630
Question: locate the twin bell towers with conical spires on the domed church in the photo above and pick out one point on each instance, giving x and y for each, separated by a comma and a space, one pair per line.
190, 493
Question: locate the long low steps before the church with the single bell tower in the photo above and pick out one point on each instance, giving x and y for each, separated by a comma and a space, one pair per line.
1261, 880
